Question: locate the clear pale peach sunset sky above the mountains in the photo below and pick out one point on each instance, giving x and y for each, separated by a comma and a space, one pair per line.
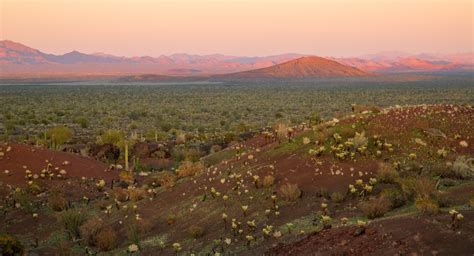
240, 27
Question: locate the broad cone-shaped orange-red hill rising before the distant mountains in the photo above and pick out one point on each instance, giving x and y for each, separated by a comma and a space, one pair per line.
305, 67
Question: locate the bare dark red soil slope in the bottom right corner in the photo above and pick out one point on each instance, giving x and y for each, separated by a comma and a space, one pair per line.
398, 236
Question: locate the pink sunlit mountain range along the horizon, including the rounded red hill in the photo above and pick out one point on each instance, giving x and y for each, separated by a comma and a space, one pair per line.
18, 60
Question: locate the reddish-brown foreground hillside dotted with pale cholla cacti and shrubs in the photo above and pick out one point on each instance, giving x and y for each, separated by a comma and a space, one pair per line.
398, 180
